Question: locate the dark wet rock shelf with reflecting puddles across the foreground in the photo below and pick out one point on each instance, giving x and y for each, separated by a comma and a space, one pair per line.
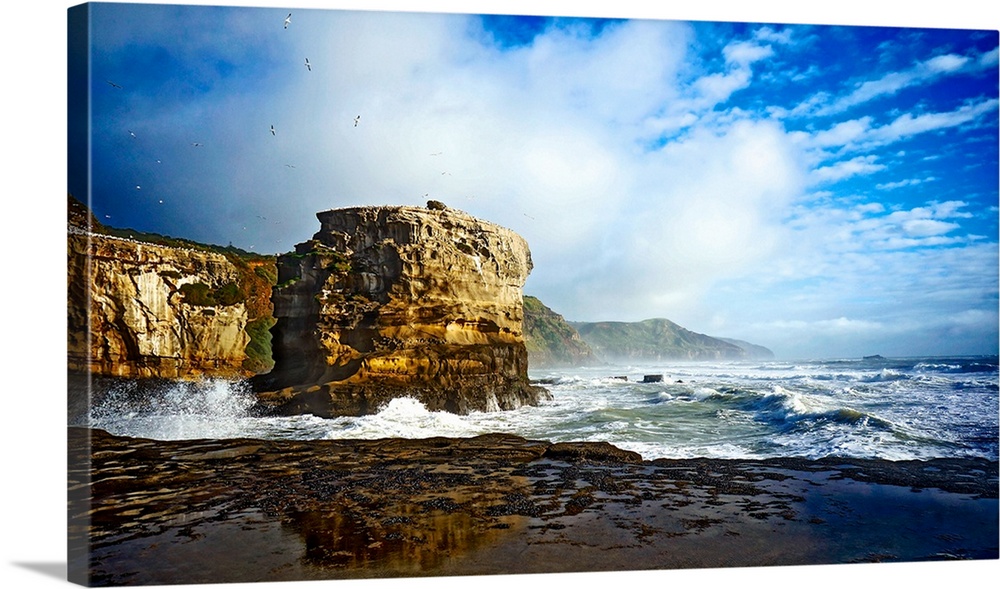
253, 510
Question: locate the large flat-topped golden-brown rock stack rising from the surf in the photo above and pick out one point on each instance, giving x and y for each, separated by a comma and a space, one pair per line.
388, 302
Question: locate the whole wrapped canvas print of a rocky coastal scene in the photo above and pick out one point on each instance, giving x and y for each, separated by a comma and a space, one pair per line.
365, 294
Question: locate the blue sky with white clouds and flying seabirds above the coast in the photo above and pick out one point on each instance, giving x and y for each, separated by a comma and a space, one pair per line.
822, 190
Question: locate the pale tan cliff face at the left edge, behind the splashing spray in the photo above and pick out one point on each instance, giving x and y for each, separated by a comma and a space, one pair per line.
142, 310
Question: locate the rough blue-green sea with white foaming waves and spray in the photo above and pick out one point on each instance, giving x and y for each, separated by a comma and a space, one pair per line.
879, 408
